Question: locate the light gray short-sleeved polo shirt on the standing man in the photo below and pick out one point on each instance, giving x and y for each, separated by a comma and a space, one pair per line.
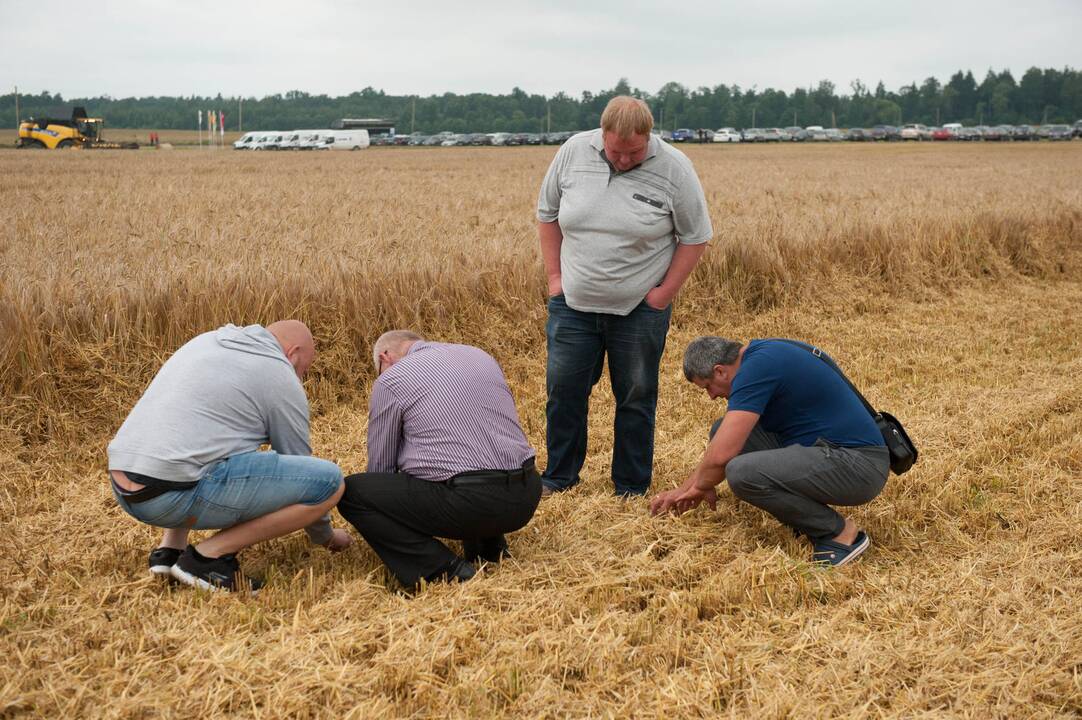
621, 229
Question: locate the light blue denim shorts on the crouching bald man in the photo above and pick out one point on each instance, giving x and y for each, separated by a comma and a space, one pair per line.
240, 489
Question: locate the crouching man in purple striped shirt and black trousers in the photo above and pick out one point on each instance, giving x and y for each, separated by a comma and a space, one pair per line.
446, 459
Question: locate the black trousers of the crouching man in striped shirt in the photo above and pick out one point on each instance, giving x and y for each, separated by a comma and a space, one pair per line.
401, 516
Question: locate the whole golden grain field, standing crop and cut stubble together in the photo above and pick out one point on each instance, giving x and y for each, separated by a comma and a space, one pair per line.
946, 280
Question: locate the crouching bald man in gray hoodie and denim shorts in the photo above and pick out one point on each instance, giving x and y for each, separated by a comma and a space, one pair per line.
189, 454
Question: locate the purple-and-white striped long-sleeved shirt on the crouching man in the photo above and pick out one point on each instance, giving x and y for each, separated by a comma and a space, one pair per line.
441, 411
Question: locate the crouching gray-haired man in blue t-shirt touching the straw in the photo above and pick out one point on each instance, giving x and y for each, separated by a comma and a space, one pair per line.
795, 441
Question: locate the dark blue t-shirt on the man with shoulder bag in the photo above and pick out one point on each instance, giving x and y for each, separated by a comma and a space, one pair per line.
800, 398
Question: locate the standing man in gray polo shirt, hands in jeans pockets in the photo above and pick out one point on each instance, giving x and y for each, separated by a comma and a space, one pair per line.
623, 222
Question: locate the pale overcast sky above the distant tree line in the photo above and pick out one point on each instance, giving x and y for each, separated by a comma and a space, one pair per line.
125, 48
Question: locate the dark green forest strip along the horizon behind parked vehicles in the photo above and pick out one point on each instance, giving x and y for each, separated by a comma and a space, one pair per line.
1039, 97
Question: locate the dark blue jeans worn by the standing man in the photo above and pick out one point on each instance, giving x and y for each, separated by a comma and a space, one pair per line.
578, 344
